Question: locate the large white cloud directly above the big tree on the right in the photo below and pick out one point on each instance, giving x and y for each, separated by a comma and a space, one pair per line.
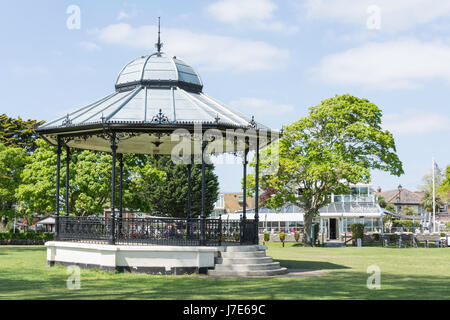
392, 65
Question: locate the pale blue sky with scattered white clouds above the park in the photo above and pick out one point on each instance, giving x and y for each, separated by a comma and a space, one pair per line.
271, 59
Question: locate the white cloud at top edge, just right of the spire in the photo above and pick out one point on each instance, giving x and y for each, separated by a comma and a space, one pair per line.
255, 13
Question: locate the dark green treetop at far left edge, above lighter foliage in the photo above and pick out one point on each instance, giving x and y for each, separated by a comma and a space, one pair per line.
18, 133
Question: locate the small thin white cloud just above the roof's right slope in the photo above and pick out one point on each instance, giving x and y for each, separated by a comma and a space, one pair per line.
261, 107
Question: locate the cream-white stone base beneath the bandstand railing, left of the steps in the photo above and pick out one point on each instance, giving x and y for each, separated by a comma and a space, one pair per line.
177, 260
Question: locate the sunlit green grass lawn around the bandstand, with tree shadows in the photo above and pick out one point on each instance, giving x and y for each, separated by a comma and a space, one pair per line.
405, 274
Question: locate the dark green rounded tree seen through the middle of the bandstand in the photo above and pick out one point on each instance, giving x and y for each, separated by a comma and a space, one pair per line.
170, 198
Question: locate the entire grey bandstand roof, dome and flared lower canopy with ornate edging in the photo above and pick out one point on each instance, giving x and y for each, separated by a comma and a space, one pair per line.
154, 95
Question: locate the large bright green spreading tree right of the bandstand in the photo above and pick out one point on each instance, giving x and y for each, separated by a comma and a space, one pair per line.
337, 144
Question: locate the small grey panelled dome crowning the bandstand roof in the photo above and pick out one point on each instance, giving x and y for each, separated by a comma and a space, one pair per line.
160, 70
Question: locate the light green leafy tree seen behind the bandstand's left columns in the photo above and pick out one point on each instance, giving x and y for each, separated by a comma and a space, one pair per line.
89, 181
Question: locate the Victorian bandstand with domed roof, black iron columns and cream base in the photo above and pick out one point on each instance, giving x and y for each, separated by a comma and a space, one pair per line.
158, 107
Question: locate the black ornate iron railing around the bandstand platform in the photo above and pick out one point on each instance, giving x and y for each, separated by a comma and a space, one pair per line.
157, 231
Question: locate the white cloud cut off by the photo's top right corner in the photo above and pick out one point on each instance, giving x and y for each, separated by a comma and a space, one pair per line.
396, 15
